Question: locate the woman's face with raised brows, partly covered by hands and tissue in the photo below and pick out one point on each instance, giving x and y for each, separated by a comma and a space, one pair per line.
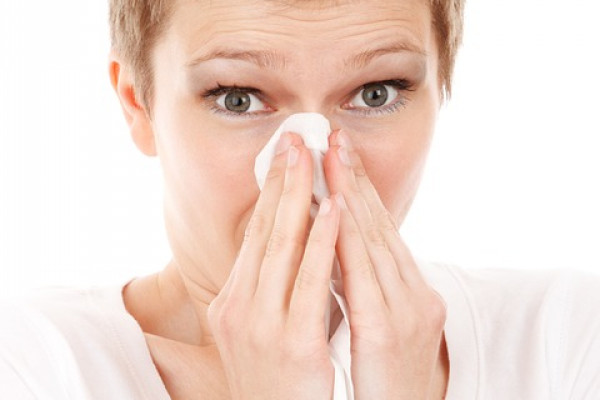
306, 57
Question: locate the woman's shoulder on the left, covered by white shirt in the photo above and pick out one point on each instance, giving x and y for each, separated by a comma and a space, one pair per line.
69, 343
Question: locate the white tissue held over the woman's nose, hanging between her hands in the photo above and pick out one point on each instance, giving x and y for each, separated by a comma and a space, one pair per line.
314, 129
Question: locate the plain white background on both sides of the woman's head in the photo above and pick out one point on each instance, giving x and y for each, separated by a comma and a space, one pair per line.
512, 180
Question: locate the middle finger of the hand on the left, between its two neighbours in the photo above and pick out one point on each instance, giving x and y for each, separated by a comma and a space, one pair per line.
287, 241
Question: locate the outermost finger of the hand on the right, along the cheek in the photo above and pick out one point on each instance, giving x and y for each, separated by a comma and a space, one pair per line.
405, 263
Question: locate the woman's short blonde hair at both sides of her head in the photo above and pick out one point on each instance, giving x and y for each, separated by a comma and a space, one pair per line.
136, 26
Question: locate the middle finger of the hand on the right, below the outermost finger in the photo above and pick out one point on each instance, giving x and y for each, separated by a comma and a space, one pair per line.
341, 179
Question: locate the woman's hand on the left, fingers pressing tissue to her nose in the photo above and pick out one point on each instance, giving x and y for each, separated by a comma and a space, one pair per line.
268, 320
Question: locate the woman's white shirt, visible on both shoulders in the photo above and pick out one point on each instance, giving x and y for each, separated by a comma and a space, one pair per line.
511, 334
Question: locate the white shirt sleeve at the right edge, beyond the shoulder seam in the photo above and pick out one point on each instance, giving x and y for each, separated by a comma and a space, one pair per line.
574, 338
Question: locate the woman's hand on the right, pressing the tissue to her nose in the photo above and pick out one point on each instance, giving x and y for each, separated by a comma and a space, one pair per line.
396, 319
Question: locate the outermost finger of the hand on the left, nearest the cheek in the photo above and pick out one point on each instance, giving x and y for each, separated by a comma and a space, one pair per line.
245, 273
